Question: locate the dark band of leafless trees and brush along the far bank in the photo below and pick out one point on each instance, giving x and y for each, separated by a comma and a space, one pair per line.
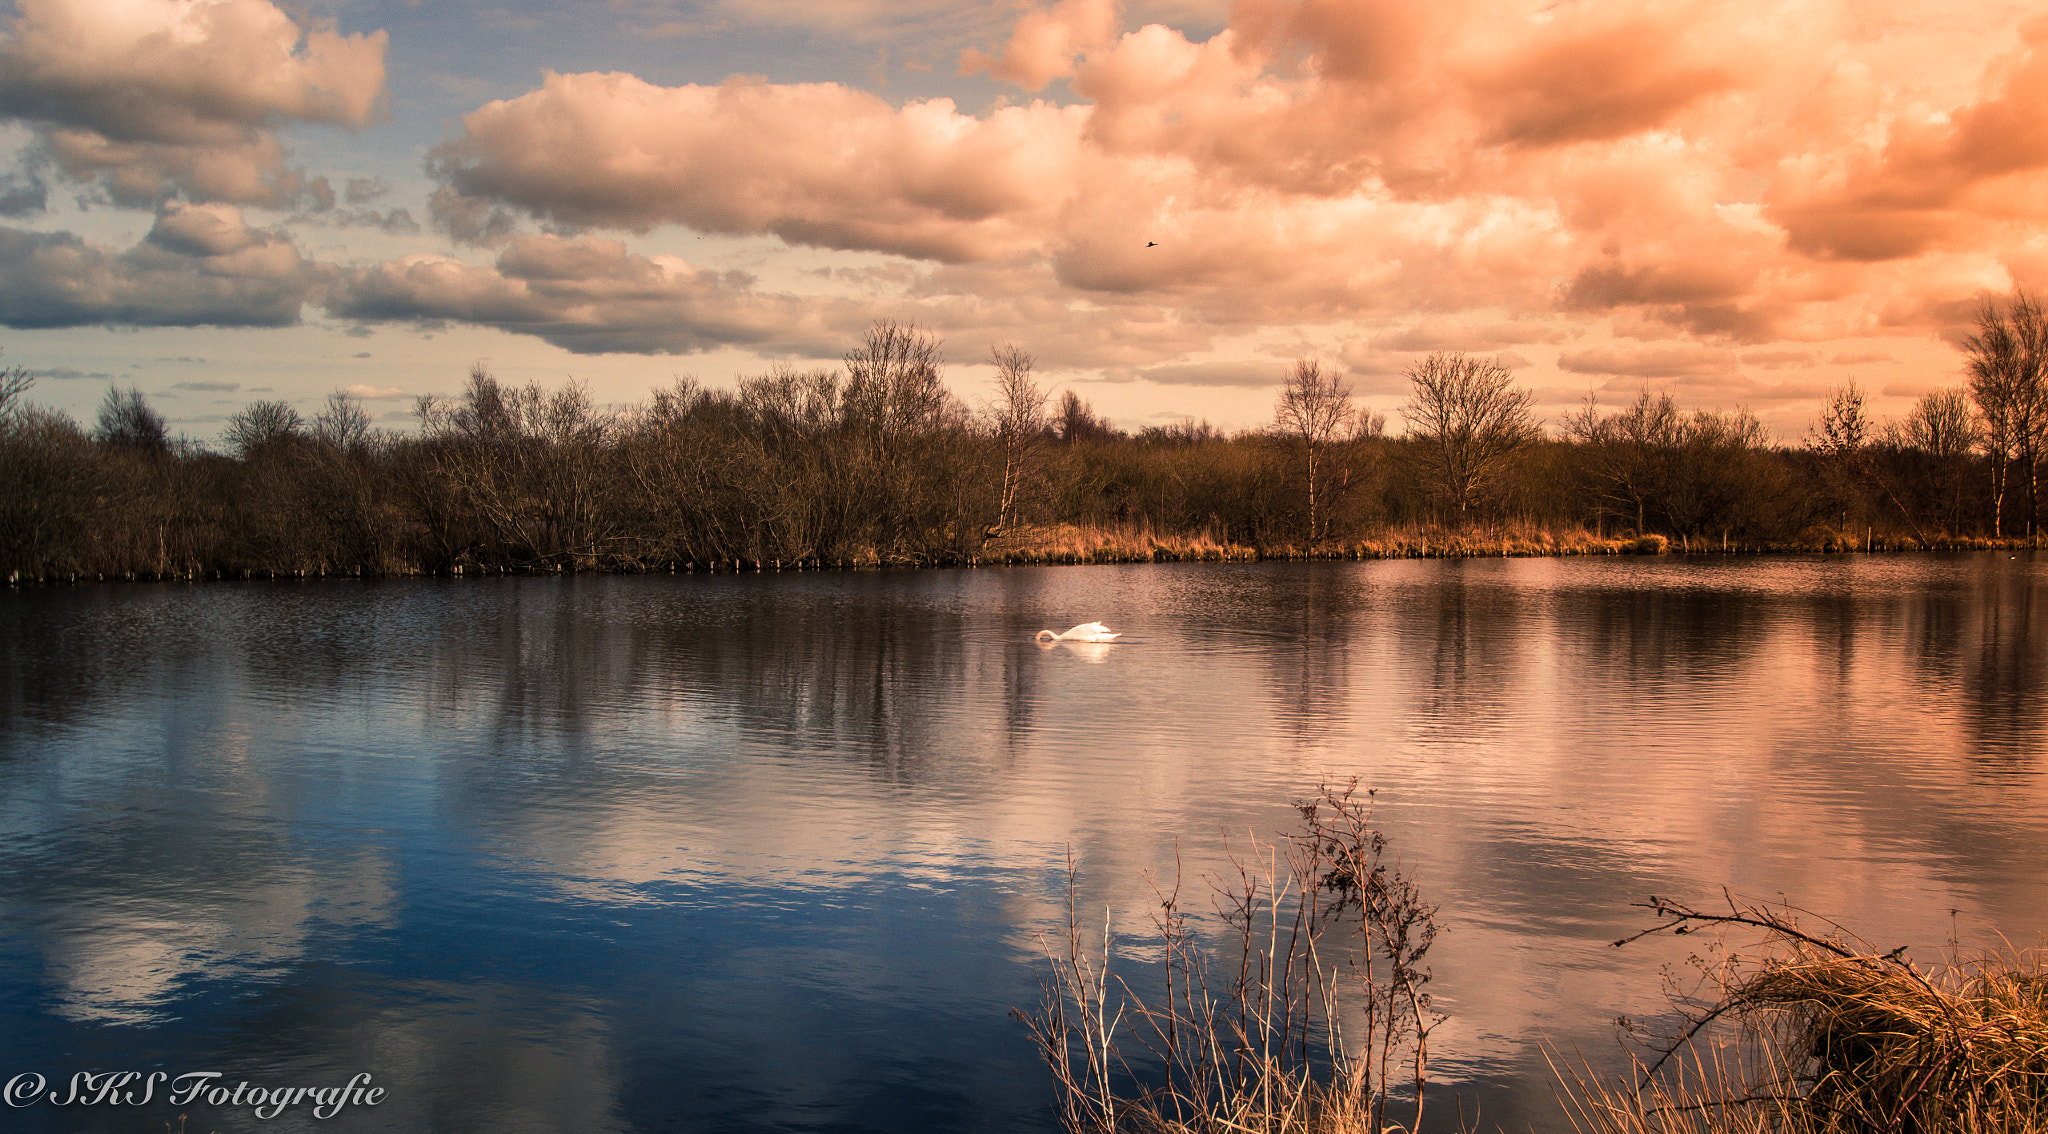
876, 464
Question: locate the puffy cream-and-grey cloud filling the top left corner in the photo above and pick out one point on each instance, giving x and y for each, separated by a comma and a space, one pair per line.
159, 97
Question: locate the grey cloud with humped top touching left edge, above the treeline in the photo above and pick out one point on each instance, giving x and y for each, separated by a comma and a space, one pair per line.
202, 265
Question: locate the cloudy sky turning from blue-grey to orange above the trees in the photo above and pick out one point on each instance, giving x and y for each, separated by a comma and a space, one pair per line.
1164, 202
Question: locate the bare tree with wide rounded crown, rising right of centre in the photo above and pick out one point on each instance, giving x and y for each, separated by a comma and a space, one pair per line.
1469, 421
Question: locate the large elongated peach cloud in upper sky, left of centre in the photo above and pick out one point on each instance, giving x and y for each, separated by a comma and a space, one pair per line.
816, 165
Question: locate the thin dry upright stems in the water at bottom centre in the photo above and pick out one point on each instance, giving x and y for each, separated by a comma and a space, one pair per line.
1310, 1014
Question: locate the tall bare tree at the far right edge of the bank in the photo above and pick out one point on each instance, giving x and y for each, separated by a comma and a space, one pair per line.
2008, 361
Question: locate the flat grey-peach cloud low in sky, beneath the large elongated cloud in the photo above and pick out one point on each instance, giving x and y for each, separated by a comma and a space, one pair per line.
587, 296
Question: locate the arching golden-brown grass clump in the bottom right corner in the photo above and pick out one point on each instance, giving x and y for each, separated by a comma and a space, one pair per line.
1824, 1035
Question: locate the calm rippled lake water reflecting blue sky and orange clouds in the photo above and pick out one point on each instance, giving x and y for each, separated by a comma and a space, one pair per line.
771, 853
